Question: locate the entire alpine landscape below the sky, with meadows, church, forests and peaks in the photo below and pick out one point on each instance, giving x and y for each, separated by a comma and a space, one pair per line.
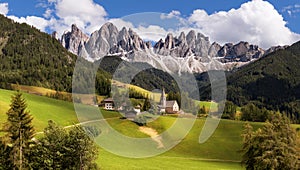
263, 88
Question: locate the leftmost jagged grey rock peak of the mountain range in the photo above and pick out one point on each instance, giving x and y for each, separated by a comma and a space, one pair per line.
72, 40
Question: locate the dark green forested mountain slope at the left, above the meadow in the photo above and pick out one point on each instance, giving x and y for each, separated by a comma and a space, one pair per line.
30, 57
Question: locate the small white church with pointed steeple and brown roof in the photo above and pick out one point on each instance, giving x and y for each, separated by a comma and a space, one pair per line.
165, 106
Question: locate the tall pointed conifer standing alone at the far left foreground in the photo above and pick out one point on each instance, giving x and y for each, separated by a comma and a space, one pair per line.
19, 132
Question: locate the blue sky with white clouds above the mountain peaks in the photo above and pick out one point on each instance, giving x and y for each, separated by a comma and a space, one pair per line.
252, 20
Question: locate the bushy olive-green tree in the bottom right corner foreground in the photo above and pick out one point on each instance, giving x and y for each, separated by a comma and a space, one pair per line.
274, 146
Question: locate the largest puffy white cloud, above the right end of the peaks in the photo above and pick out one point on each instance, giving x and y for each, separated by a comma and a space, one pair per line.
256, 21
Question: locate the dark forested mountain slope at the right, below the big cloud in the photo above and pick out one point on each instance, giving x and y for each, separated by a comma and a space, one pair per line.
273, 81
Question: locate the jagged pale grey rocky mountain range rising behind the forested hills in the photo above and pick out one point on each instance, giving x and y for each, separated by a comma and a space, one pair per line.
191, 52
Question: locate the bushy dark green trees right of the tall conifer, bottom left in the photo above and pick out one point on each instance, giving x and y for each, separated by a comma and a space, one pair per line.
65, 149
